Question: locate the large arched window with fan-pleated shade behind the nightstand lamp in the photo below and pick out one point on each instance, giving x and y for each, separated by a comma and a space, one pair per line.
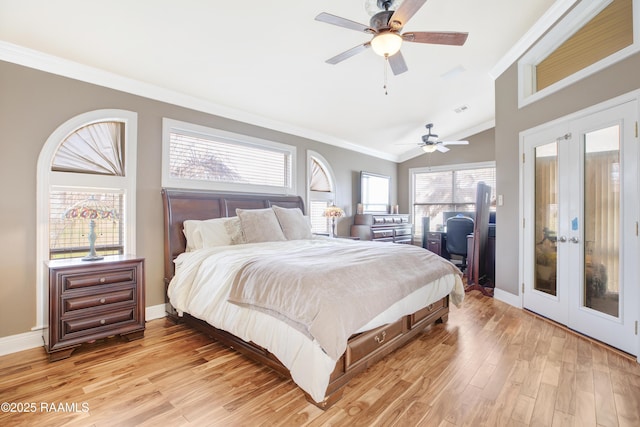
86, 181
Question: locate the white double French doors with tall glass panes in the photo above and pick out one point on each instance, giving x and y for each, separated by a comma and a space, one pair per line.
580, 236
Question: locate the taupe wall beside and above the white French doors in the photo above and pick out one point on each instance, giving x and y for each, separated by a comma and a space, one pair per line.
620, 78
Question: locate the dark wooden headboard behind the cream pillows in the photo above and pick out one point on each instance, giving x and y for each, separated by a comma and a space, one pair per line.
180, 205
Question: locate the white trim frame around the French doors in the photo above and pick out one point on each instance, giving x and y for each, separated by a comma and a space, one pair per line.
633, 96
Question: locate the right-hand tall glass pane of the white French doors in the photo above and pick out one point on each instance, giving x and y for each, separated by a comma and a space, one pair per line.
602, 220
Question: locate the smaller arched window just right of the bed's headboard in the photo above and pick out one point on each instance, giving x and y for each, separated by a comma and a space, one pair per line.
321, 191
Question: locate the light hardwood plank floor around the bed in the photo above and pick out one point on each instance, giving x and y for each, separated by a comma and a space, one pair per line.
490, 364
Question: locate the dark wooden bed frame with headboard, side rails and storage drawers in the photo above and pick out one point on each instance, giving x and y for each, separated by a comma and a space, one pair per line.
363, 349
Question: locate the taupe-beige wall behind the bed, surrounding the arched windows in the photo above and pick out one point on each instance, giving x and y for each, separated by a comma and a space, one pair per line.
33, 104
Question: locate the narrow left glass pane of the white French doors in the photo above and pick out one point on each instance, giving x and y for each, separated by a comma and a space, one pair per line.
546, 217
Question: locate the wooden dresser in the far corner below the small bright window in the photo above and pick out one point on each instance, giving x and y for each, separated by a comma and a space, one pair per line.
394, 228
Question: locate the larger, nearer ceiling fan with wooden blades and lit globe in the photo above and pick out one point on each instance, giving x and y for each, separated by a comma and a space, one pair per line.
385, 26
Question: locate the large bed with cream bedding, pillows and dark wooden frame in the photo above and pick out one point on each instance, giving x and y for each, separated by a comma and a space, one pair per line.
225, 275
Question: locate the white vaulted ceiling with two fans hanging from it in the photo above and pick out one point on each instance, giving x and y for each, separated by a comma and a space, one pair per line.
263, 61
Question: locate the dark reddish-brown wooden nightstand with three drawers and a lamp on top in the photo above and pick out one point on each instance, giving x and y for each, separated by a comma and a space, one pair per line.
89, 300
